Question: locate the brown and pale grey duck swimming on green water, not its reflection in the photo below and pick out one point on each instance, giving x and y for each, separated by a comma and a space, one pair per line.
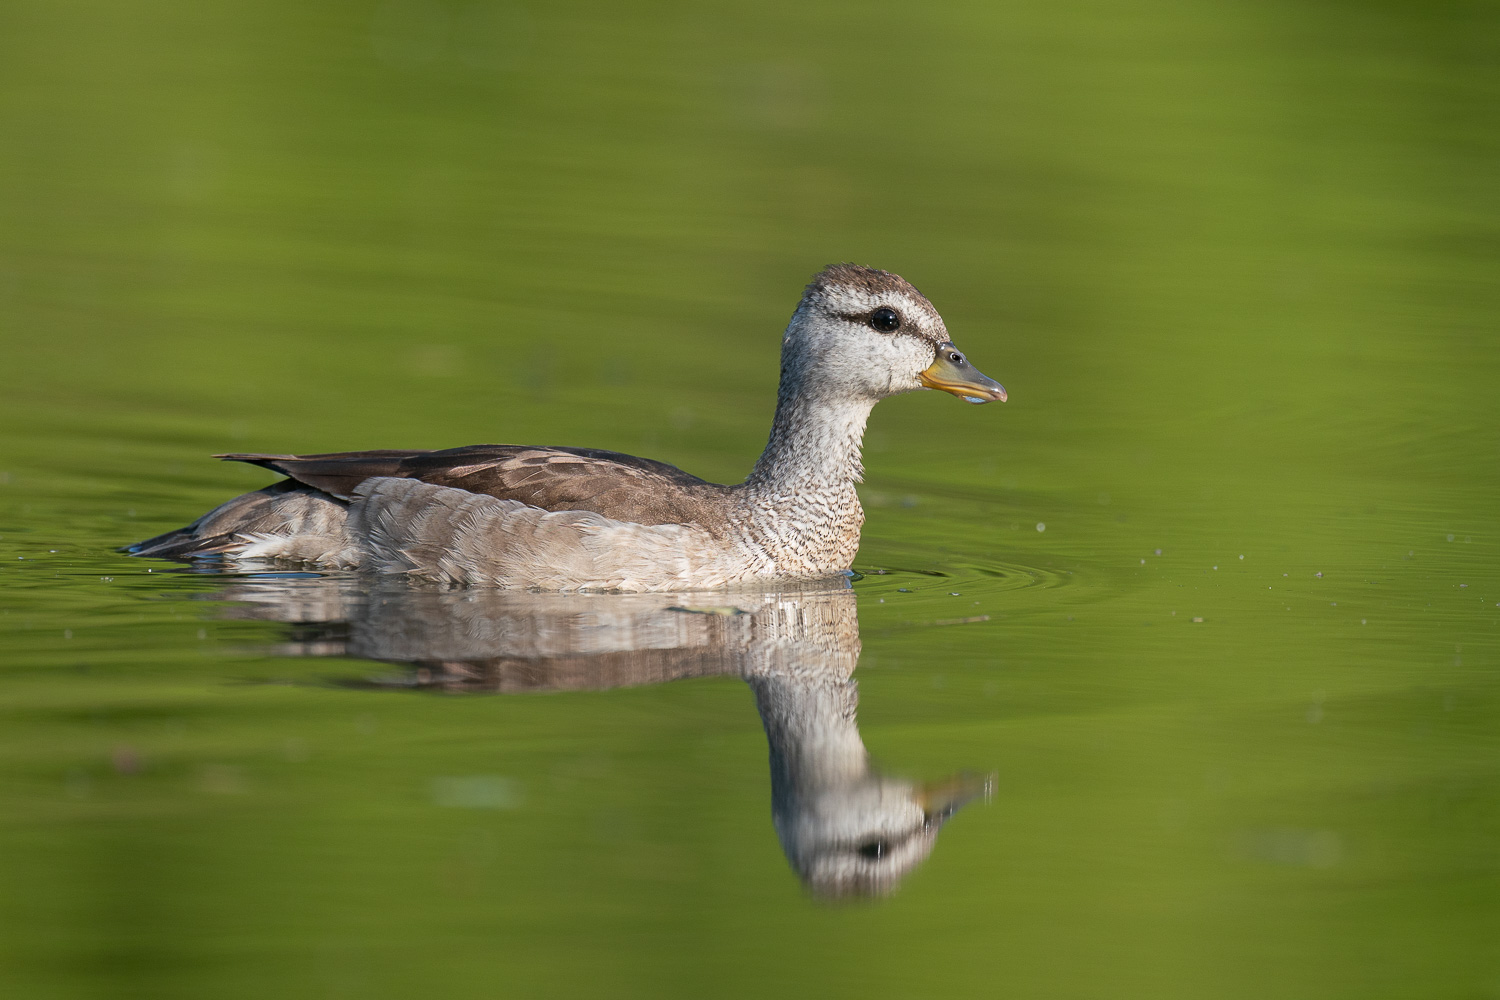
586, 519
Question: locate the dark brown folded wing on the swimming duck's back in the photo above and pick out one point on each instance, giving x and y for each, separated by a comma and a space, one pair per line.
620, 487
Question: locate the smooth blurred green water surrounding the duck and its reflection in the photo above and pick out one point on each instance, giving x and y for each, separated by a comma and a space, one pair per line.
1237, 263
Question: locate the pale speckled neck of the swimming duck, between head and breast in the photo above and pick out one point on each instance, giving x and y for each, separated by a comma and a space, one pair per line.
815, 443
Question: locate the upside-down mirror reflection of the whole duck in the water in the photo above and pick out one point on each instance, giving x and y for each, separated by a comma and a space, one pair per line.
847, 828
